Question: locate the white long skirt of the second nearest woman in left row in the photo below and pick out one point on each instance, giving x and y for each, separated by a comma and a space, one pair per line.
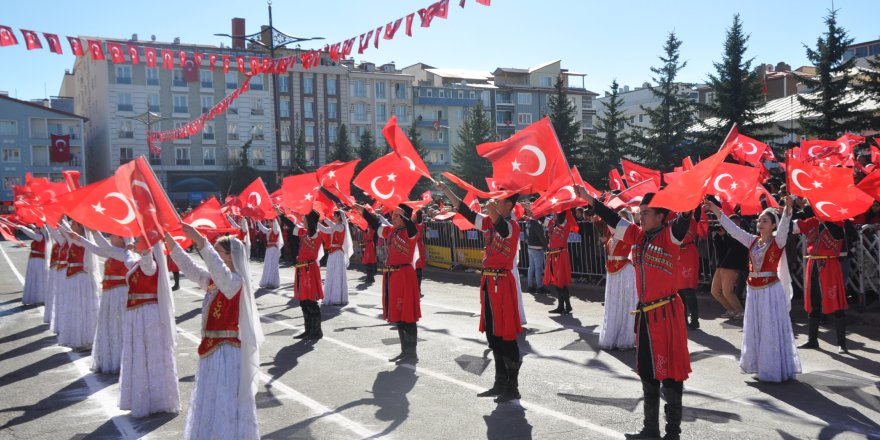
148, 376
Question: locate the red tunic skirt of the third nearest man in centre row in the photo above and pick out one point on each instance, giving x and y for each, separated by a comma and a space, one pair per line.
400, 298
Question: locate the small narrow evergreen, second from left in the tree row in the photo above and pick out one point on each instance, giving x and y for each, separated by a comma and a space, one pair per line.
610, 144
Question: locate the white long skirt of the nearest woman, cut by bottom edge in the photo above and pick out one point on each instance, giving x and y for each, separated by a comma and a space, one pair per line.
214, 412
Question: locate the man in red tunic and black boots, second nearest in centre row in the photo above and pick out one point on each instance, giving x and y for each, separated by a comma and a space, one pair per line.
499, 302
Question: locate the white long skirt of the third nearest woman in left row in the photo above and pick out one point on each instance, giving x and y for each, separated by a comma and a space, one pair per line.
107, 348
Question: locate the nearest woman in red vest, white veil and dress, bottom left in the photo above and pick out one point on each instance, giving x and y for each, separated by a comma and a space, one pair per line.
223, 404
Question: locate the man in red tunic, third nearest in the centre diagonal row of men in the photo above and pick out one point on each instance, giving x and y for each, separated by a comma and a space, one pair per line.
400, 286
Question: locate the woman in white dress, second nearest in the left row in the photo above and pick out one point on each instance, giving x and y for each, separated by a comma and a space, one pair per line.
148, 376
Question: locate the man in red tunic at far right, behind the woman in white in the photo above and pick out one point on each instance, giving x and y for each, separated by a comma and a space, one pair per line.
824, 286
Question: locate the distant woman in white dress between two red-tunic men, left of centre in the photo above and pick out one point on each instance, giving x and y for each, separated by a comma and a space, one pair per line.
336, 279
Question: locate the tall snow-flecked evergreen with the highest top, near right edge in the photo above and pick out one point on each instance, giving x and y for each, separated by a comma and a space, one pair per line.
835, 114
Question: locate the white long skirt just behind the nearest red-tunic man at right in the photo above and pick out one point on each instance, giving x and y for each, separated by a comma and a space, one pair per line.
621, 298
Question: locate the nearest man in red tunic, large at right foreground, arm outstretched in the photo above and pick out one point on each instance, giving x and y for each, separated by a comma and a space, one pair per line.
661, 341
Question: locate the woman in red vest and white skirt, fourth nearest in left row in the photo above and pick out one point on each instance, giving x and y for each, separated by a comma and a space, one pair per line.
77, 305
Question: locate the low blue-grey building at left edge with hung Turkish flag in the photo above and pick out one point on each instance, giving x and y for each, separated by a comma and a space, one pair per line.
25, 140
